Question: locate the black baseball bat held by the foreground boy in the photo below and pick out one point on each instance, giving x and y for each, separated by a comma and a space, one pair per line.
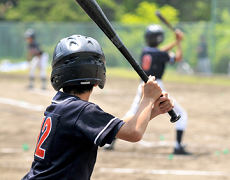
97, 15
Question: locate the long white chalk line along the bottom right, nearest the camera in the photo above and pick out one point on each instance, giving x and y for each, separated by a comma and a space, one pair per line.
164, 172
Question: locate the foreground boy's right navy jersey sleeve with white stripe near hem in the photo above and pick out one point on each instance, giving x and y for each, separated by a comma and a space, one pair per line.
98, 126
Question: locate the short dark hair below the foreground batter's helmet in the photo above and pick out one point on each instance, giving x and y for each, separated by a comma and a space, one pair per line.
78, 89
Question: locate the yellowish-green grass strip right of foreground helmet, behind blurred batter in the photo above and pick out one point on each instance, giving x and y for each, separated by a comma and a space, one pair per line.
173, 76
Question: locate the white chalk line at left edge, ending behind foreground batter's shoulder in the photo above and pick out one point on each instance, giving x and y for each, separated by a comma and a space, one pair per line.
21, 104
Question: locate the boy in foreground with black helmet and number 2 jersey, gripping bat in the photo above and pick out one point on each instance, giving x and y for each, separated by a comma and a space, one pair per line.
72, 127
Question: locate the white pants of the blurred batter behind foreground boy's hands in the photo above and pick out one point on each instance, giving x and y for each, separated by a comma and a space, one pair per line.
180, 125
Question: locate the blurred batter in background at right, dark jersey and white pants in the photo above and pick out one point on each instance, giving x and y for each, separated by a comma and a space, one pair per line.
153, 62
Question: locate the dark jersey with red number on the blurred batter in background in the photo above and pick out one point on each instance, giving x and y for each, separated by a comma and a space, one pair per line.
153, 61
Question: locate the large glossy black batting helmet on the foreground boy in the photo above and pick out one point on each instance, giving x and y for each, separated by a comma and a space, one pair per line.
78, 60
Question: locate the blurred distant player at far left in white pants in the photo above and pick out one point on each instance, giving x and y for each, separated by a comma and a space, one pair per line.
37, 59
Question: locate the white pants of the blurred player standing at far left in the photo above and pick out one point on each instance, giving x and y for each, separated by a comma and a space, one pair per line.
41, 63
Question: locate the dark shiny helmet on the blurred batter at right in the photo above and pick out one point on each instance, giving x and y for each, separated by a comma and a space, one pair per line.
154, 35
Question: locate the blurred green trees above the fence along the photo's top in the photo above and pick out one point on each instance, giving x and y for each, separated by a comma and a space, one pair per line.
115, 10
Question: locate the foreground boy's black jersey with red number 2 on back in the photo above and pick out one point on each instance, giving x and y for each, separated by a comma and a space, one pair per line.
71, 132
